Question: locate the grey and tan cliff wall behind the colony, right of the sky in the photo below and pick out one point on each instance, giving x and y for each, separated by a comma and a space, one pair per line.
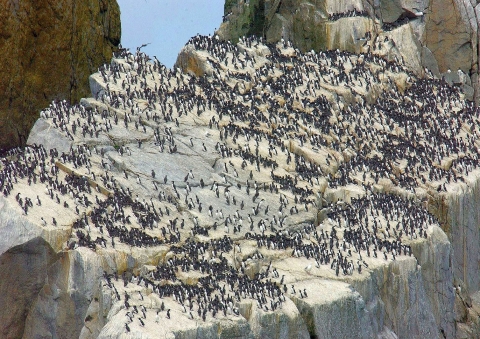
444, 33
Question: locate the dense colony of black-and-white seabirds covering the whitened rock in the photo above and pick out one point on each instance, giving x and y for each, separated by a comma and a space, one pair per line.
235, 188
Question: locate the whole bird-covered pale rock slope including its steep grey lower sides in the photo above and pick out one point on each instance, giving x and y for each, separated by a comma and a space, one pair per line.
260, 193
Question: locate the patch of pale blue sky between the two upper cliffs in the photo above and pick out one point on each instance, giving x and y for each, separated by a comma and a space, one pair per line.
167, 24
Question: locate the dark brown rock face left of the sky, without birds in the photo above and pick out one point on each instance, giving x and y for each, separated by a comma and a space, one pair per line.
48, 50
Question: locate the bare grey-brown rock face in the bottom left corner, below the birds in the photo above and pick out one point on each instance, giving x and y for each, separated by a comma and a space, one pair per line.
47, 293
